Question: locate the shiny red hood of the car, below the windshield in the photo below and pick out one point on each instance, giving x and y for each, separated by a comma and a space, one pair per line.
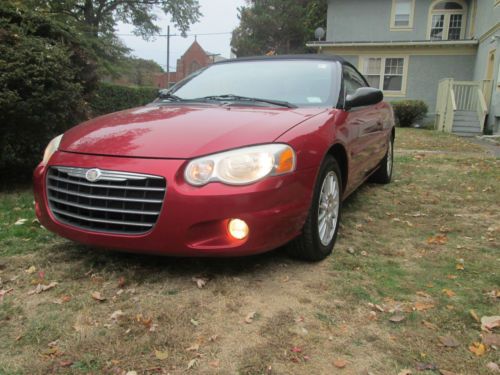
182, 131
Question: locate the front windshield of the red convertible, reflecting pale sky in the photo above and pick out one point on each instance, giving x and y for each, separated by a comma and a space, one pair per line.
298, 82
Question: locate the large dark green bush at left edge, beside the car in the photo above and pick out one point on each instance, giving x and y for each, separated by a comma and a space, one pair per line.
46, 77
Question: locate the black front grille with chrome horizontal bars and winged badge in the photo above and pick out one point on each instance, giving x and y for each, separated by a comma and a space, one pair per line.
107, 201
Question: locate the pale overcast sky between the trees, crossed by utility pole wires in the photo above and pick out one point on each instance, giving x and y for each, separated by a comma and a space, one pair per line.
219, 16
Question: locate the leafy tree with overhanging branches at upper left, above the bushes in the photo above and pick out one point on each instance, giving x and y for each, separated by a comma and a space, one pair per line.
96, 21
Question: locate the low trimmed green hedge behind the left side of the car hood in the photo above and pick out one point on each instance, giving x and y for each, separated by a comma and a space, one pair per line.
111, 98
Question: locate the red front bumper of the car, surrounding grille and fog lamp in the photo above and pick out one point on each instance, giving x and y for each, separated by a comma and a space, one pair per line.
193, 220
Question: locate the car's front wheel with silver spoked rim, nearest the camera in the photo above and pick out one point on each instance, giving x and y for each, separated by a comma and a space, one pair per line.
320, 229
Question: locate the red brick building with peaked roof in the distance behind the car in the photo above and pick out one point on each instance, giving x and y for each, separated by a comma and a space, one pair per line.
193, 59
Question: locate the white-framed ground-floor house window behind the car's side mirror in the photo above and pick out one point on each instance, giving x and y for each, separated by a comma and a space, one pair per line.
386, 73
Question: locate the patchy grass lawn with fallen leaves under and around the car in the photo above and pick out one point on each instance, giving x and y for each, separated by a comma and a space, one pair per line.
423, 250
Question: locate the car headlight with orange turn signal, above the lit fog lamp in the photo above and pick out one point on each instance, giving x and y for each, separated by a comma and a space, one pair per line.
242, 166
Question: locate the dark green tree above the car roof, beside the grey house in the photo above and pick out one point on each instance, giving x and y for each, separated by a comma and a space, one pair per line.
281, 26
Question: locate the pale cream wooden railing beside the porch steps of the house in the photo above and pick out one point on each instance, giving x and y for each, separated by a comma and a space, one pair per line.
456, 96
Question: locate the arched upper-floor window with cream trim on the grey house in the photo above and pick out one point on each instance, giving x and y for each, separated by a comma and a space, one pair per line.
447, 20
